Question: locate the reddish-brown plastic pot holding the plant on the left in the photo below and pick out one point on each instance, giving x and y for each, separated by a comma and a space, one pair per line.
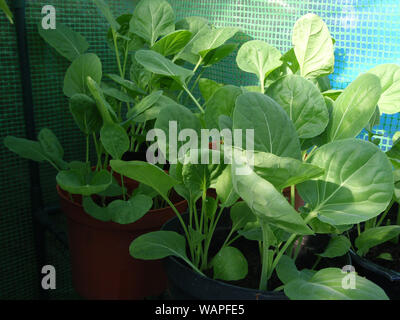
102, 267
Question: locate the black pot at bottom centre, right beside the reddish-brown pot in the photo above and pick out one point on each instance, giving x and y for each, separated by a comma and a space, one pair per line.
186, 284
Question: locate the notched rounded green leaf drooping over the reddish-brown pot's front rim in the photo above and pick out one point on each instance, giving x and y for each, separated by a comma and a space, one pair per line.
126, 212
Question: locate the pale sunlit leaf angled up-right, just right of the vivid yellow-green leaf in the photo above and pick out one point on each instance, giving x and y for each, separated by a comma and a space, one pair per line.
212, 40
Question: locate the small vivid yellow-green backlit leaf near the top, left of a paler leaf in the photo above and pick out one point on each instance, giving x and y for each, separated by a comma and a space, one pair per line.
172, 43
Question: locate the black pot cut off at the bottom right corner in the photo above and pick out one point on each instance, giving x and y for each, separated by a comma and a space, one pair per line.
388, 280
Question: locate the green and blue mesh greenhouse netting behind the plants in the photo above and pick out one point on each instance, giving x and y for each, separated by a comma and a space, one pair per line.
367, 33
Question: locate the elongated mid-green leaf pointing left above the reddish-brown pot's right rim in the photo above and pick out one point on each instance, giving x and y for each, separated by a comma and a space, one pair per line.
145, 173
